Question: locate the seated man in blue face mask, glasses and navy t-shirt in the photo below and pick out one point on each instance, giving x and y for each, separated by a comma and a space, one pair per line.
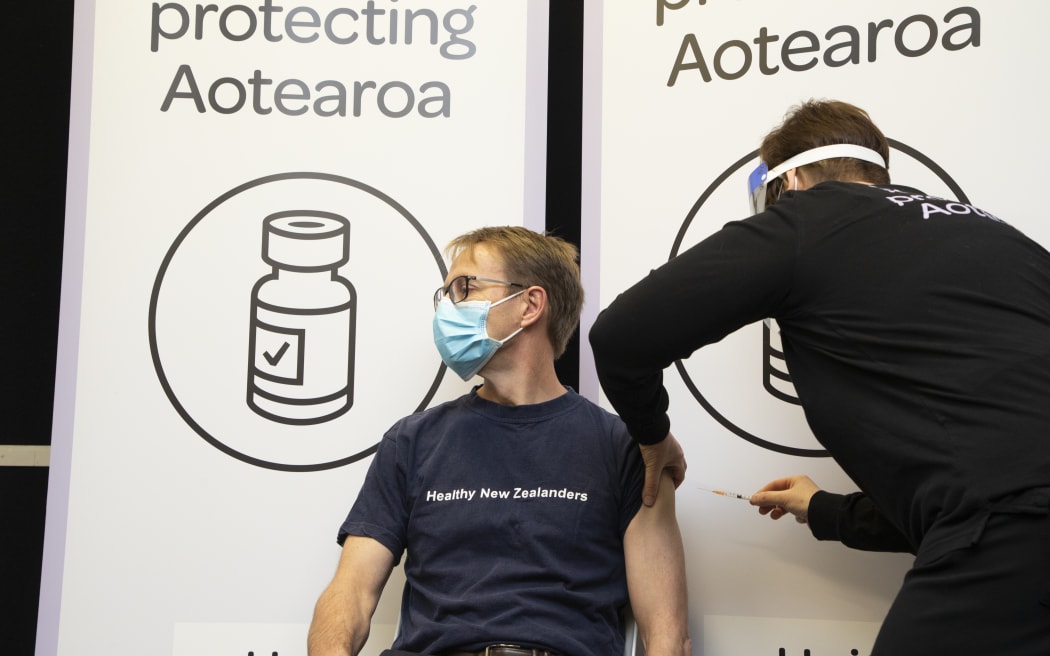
520, 503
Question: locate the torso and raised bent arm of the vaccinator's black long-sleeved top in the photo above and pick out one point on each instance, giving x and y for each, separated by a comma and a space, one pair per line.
917, 334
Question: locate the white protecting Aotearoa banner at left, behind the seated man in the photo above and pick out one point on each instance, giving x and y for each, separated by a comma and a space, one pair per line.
260, 195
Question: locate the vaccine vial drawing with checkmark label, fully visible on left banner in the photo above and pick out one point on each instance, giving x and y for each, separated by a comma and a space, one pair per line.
303, 321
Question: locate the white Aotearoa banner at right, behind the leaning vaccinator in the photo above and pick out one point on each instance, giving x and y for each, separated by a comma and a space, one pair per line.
680, 94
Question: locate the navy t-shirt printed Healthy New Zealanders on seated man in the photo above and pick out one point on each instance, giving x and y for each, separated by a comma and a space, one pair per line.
512, 519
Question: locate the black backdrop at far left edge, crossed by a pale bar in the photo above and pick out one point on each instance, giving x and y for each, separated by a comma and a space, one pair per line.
37, 49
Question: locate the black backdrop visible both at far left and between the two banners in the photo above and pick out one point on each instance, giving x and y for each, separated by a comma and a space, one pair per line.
38, 50
